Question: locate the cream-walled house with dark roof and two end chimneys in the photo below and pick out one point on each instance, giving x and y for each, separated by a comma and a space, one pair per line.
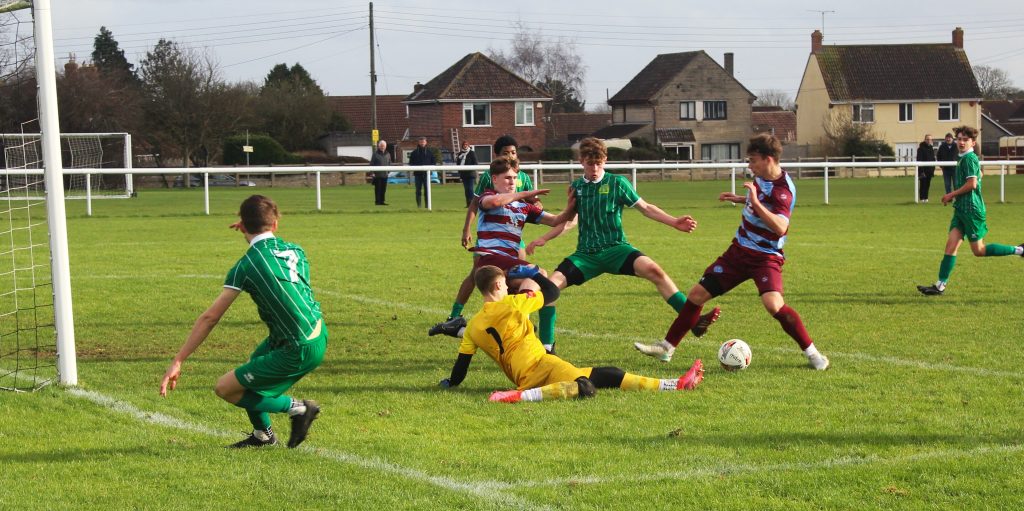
904, 92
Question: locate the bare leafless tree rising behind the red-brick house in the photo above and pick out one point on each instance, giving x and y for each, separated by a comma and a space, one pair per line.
552, 65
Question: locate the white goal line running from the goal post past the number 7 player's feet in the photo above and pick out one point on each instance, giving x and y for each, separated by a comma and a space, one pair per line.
490, 491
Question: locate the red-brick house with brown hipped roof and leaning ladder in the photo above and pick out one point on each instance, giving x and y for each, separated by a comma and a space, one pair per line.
477, 100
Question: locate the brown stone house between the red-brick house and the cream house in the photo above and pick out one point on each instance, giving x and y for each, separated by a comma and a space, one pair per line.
689, 105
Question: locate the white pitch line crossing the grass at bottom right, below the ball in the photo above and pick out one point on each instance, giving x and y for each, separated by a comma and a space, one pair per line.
715, 472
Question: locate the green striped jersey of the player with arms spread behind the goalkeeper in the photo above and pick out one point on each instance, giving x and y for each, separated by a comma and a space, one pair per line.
601, 208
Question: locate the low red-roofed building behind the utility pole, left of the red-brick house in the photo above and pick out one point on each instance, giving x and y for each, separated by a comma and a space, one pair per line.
392, 124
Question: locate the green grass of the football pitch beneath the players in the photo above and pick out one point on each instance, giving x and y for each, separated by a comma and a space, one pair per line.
921, 410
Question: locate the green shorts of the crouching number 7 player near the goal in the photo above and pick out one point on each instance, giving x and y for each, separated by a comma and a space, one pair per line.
273, 370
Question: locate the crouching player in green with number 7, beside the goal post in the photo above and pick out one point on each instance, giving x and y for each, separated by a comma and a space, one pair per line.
276, 274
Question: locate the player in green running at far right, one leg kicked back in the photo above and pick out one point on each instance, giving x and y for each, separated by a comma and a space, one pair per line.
969, 214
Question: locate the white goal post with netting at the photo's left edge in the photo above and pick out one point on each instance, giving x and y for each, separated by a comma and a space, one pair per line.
38, 318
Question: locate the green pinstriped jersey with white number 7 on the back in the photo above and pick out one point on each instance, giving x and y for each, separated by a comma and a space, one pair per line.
276, 274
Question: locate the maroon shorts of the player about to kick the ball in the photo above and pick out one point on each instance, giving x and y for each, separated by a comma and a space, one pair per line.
738, 265
